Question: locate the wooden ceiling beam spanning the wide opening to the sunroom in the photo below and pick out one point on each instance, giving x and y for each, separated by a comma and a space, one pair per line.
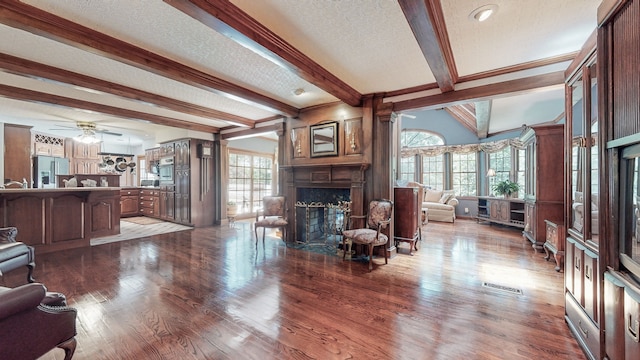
486, 92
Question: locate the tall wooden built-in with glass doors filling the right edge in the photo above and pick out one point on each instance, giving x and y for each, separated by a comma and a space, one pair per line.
602, 186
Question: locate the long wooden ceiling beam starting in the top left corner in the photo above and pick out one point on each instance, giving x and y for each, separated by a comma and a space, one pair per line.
29, 18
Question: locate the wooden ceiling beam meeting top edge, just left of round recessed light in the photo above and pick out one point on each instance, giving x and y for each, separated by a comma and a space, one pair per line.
426, 20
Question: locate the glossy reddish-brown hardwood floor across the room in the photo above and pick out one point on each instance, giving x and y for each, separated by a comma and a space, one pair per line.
208, 294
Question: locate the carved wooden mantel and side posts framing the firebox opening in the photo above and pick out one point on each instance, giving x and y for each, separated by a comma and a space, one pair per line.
337, 176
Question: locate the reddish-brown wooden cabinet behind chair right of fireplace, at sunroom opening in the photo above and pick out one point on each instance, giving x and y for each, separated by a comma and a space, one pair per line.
406, 210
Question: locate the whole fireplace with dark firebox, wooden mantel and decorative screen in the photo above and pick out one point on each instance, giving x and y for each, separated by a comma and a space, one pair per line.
317, 192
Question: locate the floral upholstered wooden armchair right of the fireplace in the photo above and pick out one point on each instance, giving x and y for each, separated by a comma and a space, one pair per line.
377, 218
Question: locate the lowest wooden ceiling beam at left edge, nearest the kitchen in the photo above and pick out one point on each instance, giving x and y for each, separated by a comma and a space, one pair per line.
16, 93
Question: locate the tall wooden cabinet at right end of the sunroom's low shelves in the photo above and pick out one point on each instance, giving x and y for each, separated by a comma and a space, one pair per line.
543, 194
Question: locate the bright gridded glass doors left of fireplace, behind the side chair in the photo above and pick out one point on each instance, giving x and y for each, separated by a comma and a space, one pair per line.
250, 179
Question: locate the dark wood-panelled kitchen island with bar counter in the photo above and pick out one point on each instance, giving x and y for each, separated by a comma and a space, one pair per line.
61, 218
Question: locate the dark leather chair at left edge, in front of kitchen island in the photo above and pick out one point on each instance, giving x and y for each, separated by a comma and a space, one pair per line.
13, 254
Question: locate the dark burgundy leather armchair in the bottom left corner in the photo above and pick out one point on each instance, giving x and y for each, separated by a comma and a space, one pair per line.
34, 321
